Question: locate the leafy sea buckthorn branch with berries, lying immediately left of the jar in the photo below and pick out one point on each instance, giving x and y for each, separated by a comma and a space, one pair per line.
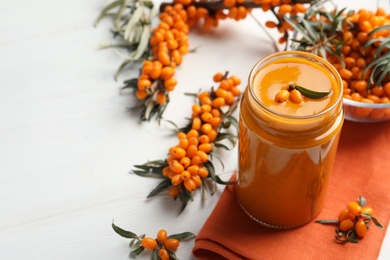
188, 165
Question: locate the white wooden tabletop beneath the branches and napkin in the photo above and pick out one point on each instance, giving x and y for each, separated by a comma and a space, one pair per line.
67, 142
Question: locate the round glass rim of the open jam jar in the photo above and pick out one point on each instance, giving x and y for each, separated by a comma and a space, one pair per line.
308, 56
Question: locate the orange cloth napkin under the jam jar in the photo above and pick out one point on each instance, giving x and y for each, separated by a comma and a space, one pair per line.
362, 167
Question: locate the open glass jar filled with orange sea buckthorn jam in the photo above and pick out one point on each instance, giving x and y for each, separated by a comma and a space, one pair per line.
286, 150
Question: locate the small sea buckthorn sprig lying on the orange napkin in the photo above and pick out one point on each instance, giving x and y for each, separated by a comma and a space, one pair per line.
353, 221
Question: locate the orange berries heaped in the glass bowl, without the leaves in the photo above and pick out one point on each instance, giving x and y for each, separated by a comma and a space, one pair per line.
357, 56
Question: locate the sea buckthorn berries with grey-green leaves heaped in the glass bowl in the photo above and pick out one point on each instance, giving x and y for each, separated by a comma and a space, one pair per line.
357, 44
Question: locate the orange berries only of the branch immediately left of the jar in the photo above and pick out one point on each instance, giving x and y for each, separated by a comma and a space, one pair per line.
186, 161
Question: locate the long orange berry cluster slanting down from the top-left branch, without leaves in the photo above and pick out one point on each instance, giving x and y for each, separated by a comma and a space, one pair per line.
169, 42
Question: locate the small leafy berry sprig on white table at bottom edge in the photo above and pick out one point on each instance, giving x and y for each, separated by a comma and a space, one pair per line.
163, 247
